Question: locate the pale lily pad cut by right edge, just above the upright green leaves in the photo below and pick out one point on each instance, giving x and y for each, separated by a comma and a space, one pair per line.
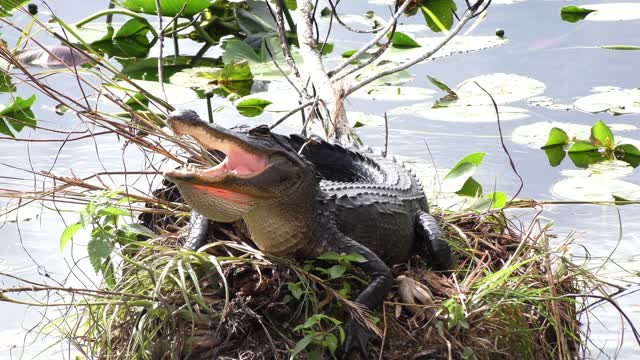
615, 101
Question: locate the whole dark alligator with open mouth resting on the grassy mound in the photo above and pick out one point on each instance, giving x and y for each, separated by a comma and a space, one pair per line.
302, 197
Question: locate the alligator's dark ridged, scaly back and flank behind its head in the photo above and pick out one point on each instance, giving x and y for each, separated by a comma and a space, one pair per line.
374, 198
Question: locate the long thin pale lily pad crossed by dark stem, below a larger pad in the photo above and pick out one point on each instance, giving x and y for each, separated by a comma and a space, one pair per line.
464, 114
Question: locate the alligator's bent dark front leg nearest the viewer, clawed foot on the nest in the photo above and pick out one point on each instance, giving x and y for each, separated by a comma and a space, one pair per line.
372, 296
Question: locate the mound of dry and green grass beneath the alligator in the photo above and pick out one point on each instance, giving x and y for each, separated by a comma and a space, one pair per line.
509, 297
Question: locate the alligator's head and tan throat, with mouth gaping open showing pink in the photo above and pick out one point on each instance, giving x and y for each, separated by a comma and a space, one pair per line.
261, 179
